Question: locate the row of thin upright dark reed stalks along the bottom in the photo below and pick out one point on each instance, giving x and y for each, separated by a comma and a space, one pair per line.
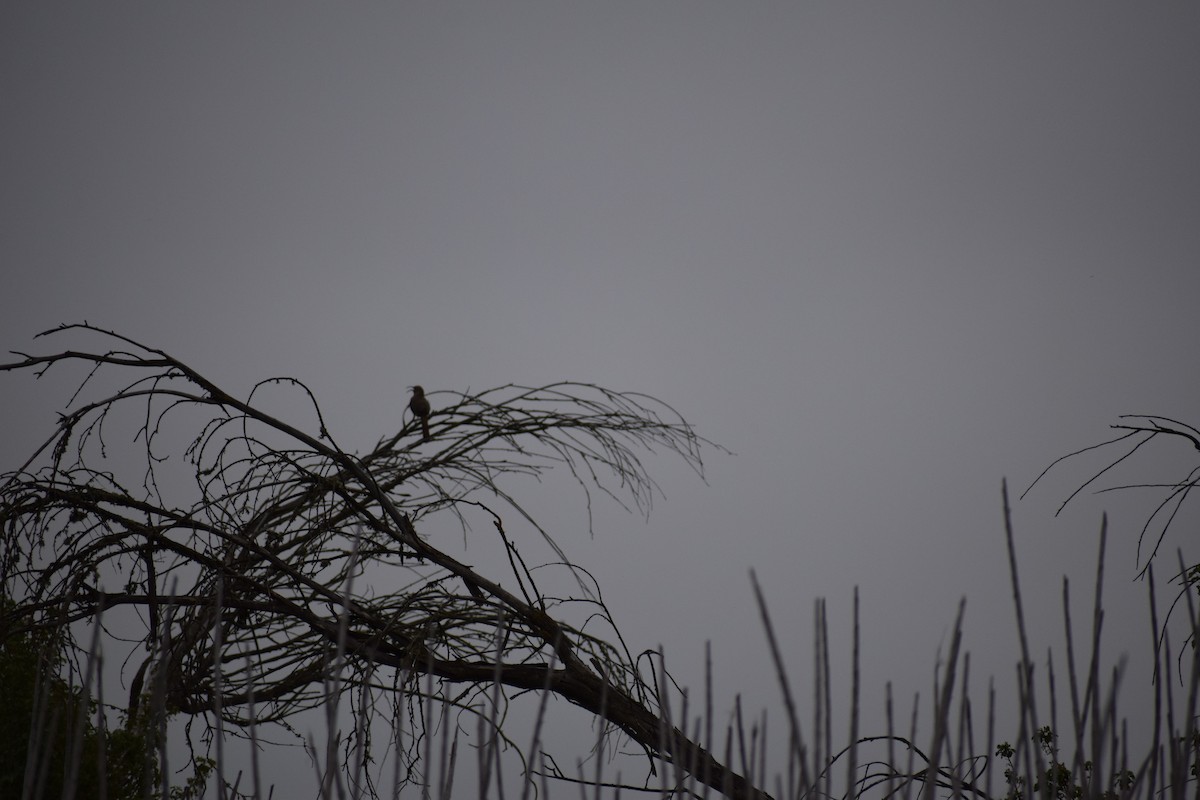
1070, 742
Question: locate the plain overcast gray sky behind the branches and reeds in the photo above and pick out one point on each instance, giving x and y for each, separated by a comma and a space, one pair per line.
887, 254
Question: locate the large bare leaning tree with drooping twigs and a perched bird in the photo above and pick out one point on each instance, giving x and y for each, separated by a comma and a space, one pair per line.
278, 573
